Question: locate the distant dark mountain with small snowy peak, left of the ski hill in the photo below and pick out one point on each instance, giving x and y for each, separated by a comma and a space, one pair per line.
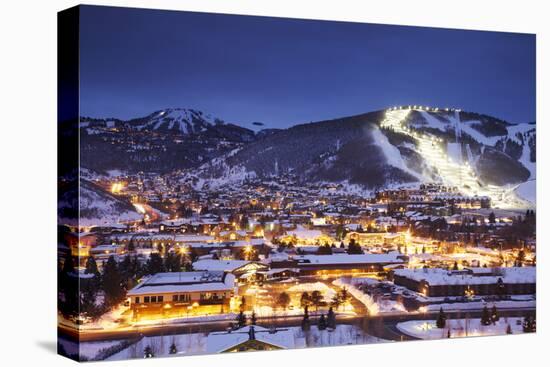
162, 141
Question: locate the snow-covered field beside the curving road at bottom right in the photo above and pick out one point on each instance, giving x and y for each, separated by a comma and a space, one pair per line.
426, 329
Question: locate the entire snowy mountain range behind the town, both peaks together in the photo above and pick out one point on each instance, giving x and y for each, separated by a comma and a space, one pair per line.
480, 154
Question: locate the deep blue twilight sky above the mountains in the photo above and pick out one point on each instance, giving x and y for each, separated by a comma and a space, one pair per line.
285, 71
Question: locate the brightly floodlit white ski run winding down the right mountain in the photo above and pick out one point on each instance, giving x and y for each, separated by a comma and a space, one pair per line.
450, 172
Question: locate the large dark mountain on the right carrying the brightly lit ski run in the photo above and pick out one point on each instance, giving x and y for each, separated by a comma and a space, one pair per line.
479, 154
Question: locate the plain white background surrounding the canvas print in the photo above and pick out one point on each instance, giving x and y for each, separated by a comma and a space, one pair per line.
28, 178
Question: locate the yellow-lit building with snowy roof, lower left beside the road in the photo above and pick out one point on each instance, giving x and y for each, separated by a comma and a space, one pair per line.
181, 293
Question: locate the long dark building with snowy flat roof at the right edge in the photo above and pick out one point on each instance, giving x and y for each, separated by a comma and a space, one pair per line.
481, 281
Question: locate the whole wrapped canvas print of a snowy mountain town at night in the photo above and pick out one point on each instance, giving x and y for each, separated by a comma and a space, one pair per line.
237, 183
